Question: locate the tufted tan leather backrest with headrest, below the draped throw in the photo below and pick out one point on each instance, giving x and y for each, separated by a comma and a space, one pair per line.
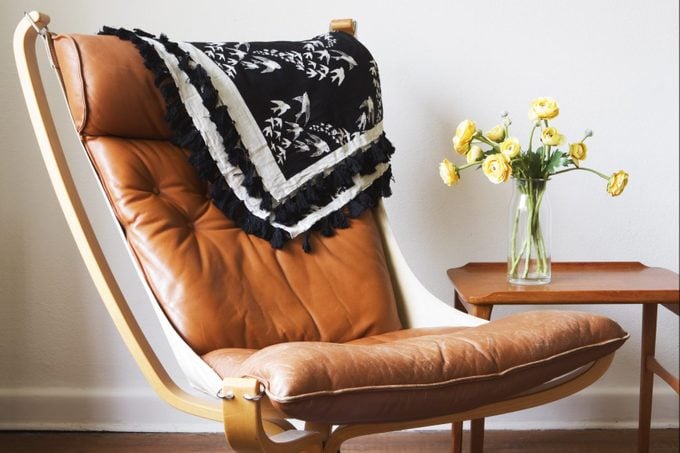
218, 286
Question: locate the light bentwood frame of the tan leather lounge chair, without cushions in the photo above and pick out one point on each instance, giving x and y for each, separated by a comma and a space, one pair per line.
250, 422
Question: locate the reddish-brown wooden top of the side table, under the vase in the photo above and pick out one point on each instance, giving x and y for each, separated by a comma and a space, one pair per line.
572, 283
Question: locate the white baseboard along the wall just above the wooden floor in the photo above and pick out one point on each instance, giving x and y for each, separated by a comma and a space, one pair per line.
141, 410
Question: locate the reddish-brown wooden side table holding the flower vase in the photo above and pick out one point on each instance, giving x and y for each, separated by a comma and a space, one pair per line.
480, 286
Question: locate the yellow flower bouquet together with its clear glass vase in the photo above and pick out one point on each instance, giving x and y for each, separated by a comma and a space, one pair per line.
501, 157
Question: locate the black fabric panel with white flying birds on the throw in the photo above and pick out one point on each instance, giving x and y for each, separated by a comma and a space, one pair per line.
297, 91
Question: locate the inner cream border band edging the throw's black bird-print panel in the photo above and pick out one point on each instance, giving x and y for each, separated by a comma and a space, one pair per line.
251, 135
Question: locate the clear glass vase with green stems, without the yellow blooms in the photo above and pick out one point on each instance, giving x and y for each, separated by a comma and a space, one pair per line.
529, 233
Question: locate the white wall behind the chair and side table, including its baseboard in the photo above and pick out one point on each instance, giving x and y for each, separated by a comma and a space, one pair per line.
612, 65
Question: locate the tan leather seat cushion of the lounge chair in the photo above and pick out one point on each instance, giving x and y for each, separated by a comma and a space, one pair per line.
421, 373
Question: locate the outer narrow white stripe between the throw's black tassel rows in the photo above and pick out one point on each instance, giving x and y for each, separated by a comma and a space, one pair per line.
233, 176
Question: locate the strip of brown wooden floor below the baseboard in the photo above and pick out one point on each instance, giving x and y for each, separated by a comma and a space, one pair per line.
591, 441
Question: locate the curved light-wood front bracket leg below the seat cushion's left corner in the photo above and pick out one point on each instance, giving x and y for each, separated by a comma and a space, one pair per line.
243, 424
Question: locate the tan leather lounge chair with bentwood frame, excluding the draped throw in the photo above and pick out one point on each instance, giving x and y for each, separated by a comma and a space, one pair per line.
344, 338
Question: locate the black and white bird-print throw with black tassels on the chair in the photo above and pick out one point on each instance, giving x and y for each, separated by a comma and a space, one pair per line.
288, 134
